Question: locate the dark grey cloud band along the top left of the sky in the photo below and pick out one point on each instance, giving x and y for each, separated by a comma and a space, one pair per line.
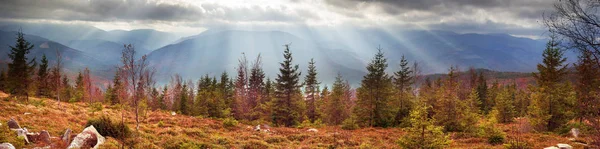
97, 10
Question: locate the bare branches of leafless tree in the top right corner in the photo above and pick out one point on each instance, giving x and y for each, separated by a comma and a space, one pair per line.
577, 21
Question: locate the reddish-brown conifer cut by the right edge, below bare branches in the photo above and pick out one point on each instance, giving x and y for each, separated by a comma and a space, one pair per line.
587, 86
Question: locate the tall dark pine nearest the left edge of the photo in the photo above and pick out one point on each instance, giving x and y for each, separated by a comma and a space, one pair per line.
19, 70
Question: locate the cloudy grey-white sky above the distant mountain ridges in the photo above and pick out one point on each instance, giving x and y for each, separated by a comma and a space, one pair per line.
516, 17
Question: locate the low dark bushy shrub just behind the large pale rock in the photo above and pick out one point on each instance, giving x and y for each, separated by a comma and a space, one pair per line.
106, 127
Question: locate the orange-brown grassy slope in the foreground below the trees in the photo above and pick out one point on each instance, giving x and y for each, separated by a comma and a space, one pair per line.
160, 129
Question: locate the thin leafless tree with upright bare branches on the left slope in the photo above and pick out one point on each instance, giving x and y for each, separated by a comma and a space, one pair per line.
133, 71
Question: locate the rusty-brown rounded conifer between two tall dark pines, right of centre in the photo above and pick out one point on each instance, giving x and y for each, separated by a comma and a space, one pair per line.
336, 109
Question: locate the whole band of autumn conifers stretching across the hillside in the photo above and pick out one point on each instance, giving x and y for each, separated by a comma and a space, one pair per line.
471, 104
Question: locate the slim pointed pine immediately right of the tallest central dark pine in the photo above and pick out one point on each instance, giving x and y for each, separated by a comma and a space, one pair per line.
310, 89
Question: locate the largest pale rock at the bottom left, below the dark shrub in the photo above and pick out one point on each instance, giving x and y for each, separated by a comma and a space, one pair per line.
88, 138
